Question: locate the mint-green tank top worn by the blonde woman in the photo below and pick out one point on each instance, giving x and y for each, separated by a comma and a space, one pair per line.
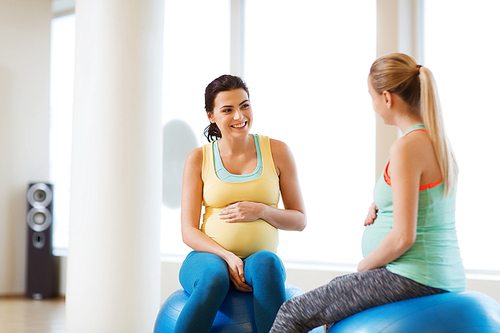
434, 259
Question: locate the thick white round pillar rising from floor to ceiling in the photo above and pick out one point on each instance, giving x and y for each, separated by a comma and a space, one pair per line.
113, 281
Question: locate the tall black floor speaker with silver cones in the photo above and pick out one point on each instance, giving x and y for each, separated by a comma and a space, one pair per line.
41, 282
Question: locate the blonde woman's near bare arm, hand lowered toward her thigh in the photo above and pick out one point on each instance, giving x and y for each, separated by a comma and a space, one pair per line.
405, 171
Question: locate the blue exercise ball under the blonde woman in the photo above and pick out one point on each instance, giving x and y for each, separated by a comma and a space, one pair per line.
457, 312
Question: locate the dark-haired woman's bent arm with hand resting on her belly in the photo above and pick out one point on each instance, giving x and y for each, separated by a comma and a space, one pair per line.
293, 217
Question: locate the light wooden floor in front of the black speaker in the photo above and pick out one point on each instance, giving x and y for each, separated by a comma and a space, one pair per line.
23, 315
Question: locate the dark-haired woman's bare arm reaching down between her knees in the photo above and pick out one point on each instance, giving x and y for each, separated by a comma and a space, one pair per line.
192, 194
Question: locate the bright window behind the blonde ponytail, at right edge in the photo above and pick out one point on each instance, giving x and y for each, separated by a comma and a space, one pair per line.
461, 48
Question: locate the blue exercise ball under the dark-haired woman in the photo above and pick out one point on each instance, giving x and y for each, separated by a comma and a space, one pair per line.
235, 315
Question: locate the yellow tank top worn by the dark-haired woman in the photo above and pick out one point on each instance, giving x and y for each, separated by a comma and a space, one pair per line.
241, 238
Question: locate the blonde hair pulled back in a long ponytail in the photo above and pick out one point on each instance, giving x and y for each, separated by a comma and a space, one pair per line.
399, 73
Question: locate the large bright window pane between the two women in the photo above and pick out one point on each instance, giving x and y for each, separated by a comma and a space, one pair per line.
306, 64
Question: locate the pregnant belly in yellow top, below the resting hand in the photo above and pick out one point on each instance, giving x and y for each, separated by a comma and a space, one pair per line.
241, 238
